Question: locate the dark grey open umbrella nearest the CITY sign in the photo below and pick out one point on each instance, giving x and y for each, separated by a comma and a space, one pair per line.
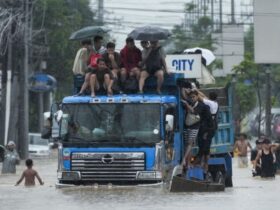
149, 33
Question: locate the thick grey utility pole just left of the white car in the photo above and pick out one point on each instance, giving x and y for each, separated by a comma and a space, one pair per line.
23, 110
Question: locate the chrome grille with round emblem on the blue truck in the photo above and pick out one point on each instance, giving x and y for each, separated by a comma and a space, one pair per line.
108, 166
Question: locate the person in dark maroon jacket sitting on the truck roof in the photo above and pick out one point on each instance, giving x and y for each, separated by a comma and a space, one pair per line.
130, 58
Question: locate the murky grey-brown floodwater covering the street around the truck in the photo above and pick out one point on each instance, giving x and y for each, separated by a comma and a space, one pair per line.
247, 193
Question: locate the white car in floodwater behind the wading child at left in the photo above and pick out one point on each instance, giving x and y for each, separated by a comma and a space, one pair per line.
37, 146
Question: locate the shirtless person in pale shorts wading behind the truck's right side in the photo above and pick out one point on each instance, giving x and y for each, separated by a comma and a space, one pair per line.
242, 145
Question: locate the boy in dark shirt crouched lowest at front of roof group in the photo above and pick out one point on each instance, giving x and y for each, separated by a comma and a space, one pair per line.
101, 77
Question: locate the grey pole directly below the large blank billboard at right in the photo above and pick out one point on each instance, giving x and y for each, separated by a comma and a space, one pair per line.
268, 102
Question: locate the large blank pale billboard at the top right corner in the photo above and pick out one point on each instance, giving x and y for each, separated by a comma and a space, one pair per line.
266, 31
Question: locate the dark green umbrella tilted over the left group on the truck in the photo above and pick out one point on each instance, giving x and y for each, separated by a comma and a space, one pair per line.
88, 32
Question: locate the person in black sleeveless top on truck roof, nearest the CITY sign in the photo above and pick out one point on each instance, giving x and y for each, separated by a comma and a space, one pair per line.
153, 64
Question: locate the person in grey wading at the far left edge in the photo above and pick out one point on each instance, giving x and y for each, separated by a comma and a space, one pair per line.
11, 158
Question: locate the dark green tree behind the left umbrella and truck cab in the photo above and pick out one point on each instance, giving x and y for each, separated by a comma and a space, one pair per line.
57, 20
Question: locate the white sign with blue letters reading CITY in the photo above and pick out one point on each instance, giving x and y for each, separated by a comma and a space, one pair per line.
187, 64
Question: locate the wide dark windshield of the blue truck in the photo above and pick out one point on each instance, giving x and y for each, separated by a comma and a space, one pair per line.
112, 123
